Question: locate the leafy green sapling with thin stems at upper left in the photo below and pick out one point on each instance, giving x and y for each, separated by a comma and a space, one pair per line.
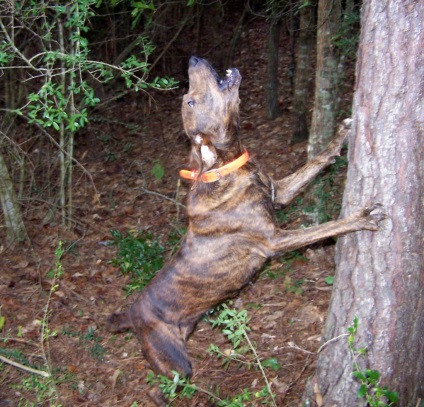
47, 45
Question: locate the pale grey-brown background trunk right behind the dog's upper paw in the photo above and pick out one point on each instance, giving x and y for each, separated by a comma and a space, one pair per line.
326, 79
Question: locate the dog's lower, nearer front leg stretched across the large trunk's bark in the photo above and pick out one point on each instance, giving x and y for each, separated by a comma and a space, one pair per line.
368, 219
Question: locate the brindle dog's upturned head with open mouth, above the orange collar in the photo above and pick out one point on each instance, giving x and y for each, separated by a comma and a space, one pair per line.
210, 110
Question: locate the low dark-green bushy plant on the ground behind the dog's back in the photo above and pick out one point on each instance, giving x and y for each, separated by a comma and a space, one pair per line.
139, 255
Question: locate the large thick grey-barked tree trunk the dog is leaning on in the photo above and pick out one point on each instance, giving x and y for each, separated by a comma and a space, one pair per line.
380, 276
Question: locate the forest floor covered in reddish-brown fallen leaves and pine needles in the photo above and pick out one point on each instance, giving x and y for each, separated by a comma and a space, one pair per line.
287, 304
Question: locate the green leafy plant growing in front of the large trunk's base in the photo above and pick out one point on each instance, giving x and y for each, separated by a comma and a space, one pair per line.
370, 389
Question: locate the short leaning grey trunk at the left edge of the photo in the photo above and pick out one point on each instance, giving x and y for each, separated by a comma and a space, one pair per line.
15, 227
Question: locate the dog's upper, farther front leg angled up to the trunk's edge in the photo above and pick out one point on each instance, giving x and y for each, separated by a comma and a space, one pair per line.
288, 187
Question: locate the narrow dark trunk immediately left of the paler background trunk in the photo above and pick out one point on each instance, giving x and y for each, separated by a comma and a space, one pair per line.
302, 74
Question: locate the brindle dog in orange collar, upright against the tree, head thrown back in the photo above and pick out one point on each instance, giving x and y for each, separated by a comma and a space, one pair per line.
231, 229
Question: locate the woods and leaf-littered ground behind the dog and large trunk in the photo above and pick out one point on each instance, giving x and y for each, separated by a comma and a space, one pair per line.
91, 142
